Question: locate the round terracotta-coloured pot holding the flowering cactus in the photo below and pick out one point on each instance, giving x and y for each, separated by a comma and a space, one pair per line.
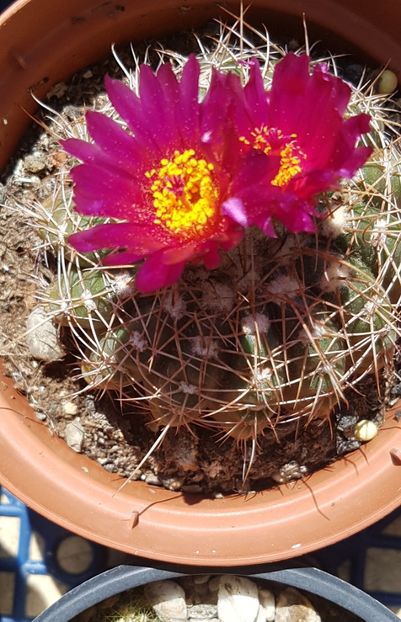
43, 41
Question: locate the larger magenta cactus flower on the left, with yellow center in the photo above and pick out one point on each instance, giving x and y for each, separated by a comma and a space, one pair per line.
165, 178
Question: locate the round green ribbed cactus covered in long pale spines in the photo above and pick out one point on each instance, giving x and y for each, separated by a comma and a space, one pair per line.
281, 330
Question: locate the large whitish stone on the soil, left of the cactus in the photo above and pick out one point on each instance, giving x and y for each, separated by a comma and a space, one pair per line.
42, 336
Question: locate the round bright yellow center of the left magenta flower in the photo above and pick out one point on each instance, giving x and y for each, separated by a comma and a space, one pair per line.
184, 193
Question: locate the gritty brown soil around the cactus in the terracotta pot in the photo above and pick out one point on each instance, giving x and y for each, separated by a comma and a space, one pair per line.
113, 434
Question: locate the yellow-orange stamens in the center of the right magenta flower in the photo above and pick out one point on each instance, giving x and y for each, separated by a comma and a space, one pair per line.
272, 141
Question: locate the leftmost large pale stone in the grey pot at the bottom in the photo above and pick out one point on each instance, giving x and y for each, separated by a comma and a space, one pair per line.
168, 600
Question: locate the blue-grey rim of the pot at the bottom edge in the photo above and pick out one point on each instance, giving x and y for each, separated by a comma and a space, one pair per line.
118, 580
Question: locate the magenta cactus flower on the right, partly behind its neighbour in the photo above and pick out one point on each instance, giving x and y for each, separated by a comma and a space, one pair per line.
295, 144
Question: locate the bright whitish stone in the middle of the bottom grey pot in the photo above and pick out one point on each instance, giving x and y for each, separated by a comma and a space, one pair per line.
237, 599
